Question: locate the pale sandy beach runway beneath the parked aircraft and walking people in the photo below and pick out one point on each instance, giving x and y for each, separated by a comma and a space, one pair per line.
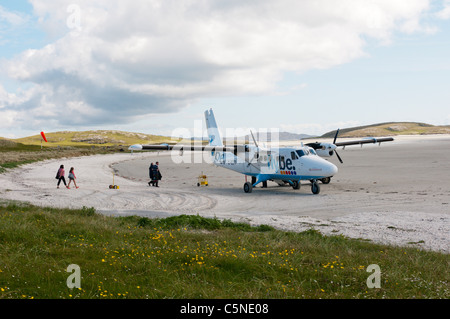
398, 193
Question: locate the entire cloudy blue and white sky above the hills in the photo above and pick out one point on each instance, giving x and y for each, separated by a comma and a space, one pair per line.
153, 66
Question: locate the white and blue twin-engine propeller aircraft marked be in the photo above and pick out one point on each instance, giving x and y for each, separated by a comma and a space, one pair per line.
283, 165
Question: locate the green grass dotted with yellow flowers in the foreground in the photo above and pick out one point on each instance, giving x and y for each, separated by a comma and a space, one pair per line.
195, 257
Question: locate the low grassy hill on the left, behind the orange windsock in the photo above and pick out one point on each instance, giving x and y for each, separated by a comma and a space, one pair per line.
95, 138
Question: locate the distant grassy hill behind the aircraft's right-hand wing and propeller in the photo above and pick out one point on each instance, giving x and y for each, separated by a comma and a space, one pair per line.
390, 129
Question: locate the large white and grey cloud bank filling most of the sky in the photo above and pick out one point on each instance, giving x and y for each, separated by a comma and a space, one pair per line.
127, 59
